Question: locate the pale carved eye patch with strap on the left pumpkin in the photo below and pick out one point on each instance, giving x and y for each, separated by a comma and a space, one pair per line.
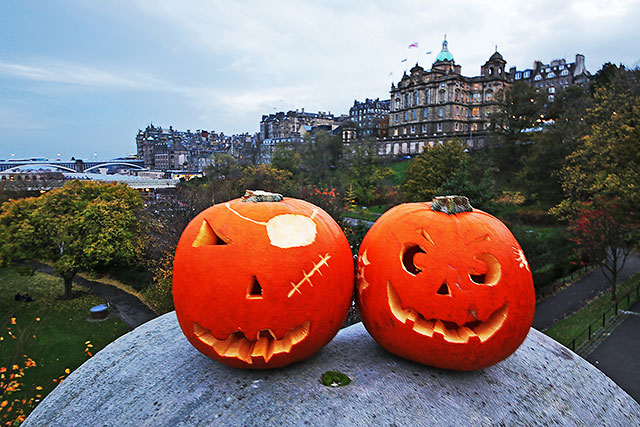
287, 230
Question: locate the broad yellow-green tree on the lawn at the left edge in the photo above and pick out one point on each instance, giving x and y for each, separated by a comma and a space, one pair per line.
83, 225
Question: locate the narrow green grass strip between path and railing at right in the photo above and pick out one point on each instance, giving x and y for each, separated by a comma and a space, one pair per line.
570, 327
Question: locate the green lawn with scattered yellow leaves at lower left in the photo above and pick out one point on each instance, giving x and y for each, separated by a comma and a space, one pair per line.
51, 332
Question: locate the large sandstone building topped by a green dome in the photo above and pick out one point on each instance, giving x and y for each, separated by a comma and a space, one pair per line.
431, 106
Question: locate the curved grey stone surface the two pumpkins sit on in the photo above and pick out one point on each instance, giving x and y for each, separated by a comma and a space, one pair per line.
152, 376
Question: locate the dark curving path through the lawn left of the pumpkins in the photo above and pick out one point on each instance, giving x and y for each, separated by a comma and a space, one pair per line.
127, 306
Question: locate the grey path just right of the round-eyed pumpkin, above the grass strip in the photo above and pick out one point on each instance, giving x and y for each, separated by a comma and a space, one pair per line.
575, 296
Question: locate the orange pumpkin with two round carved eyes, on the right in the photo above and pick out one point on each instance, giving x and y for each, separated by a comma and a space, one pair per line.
445, 285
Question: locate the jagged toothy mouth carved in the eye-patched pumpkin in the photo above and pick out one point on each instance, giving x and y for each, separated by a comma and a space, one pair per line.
265, 345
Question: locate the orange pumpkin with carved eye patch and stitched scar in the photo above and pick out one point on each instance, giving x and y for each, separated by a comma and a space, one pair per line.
262, 281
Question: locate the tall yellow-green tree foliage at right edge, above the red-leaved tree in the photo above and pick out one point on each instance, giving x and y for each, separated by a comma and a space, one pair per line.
605, 163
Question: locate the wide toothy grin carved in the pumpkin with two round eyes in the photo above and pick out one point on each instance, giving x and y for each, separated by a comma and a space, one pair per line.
449, 330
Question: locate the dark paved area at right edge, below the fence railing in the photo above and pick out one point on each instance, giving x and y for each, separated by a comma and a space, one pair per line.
618, 356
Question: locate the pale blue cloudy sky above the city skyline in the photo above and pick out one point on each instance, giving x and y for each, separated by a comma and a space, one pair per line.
80, 78
